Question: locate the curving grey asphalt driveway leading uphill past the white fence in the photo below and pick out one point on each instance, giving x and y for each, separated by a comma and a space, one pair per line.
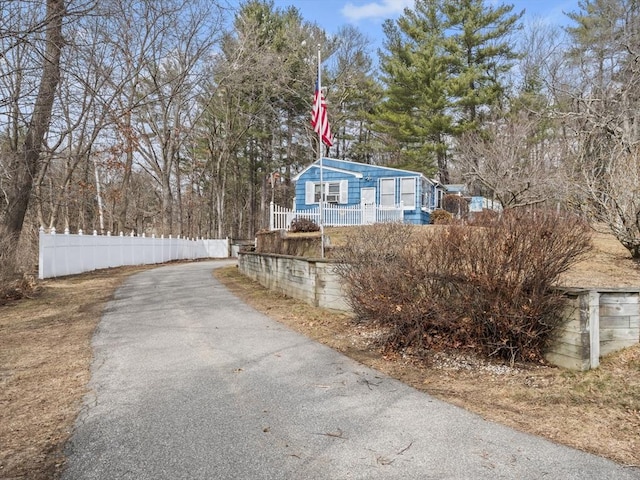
188, 382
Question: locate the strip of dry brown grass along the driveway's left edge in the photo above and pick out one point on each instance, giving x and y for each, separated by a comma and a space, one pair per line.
45, 353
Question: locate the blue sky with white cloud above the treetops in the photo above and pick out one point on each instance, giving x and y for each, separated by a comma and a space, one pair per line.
368, 15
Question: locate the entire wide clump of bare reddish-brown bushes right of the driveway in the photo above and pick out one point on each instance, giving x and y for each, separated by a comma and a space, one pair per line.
488, 287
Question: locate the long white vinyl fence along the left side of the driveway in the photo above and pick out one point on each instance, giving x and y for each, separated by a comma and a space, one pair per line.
67, 254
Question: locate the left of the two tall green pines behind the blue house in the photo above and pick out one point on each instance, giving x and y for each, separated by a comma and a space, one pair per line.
413, 118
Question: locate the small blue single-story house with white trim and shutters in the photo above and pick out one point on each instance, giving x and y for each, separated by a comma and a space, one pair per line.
352, 184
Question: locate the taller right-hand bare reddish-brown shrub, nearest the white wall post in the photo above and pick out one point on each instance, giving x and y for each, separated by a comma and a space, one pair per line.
502, 299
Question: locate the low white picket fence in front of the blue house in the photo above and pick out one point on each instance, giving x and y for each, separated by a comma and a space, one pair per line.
280, 218
